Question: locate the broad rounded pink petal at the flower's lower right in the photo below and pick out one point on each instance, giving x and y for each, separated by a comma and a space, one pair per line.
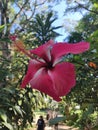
63, 76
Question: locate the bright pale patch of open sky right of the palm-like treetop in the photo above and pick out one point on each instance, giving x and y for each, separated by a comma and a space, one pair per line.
67, 21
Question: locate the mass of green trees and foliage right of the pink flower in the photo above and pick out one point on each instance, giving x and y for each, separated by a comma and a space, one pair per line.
85, 93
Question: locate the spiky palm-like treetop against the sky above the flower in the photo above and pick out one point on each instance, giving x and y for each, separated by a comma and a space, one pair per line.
41, 29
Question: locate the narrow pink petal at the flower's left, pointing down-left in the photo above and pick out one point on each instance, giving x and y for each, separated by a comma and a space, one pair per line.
33, 66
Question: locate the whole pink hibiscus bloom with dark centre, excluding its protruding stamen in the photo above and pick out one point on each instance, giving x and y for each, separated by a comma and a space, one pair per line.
48, 73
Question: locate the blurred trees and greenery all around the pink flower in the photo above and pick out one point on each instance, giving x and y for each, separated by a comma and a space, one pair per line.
33, 23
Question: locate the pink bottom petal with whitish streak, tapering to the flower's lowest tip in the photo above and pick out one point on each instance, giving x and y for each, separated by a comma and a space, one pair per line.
42, 82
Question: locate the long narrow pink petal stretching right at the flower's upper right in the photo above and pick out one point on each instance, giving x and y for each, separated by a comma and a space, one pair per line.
61, 49
